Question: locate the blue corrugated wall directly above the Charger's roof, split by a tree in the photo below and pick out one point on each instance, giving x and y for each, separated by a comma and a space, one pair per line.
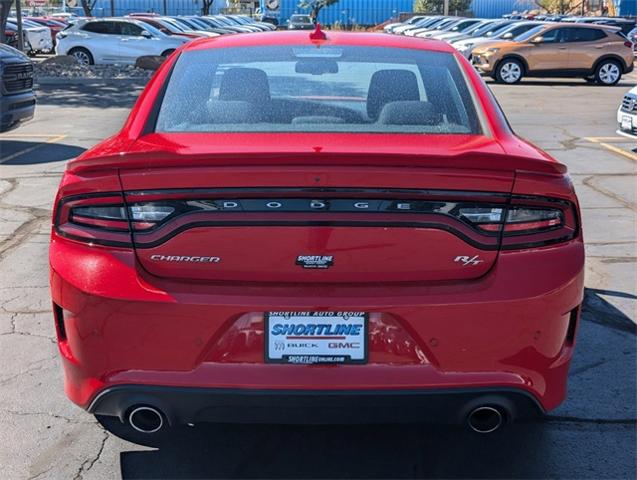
346, 12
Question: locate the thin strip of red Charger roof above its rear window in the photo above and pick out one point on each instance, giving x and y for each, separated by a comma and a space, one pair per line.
333, 38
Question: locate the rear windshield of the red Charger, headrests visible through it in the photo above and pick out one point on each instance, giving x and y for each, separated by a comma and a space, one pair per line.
310, 89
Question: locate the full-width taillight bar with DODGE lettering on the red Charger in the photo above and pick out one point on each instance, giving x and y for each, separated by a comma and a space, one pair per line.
520, 222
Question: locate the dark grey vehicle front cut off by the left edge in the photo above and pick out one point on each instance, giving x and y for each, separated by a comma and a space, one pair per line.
17, 100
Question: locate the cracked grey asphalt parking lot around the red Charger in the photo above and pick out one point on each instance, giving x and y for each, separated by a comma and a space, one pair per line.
592, 435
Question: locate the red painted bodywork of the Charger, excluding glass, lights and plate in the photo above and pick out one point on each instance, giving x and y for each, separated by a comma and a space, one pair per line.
433, 323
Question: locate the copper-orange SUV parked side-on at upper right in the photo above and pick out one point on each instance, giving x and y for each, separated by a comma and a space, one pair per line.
593, 52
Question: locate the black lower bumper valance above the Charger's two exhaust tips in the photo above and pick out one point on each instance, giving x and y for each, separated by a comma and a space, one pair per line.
183, 405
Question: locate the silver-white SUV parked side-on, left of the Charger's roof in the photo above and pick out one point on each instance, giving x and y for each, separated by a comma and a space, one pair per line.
114, 41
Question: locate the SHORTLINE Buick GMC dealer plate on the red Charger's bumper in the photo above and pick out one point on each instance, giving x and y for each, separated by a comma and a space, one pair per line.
311, 338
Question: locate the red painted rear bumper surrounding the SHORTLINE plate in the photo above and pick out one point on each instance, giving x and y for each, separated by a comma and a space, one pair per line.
514, 328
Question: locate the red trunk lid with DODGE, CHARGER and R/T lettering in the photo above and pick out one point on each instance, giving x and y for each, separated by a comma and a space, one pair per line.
320, 216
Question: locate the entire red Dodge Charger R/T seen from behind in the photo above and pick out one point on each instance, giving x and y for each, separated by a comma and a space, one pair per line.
315, 228
